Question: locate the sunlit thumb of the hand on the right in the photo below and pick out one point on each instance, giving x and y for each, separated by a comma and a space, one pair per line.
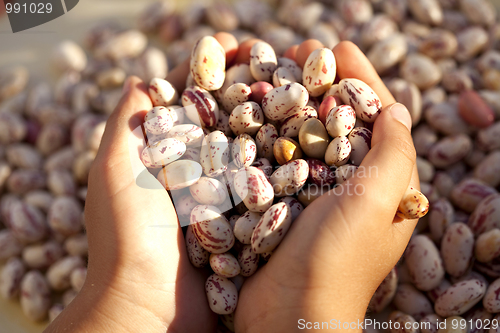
391, 161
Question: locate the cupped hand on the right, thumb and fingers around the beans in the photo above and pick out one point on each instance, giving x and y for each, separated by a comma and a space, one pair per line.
342, 246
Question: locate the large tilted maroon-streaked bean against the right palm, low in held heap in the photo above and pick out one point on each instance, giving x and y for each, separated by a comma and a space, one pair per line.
271, 228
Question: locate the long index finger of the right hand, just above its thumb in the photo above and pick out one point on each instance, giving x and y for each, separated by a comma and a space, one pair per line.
352, 63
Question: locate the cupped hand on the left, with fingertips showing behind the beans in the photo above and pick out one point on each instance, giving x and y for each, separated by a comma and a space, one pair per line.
139, 275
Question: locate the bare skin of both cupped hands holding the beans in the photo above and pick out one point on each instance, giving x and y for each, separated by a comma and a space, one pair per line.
328, 266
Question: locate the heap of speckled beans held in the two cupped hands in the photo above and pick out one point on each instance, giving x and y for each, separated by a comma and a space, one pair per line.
213, 159
